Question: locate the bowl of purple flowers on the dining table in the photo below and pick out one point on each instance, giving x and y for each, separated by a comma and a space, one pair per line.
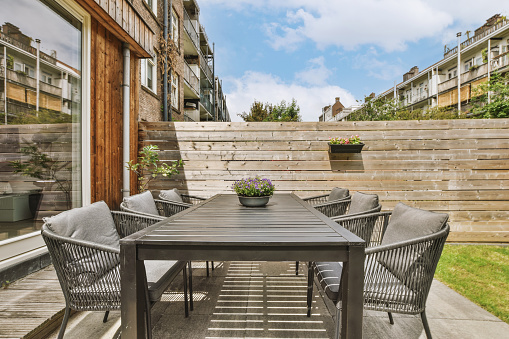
254, 192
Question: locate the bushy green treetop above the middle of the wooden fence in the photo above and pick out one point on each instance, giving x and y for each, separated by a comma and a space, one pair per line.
270, 112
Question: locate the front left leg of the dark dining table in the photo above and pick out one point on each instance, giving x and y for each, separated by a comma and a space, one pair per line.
132, 296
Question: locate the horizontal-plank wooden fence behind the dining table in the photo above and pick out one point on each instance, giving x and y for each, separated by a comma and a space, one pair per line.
454, 166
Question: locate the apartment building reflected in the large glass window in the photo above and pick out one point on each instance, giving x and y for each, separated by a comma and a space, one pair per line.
31, 80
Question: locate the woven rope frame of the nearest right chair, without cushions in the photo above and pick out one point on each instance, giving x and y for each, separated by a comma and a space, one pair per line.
397, 276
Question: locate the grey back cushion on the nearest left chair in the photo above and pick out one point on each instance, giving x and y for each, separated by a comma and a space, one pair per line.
92, 223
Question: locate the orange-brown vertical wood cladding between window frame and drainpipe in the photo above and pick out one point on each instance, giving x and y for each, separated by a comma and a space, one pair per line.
106, 116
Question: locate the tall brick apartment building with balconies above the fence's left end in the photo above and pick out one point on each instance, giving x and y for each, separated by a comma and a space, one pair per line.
188, 86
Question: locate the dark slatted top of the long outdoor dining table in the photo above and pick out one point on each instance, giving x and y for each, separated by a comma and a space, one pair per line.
222, 220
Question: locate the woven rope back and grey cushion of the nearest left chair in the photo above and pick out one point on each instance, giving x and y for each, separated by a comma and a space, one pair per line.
84, 247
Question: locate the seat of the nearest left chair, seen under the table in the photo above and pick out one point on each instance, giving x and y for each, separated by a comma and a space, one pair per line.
160, 273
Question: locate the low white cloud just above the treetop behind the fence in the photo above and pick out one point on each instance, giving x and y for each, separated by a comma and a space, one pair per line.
269, 88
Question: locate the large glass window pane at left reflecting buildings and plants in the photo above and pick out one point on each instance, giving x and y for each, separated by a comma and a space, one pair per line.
40, 114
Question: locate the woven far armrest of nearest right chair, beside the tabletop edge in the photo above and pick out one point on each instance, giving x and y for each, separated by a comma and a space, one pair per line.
368, 226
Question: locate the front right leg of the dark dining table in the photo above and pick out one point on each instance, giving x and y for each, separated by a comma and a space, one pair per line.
352, 286
